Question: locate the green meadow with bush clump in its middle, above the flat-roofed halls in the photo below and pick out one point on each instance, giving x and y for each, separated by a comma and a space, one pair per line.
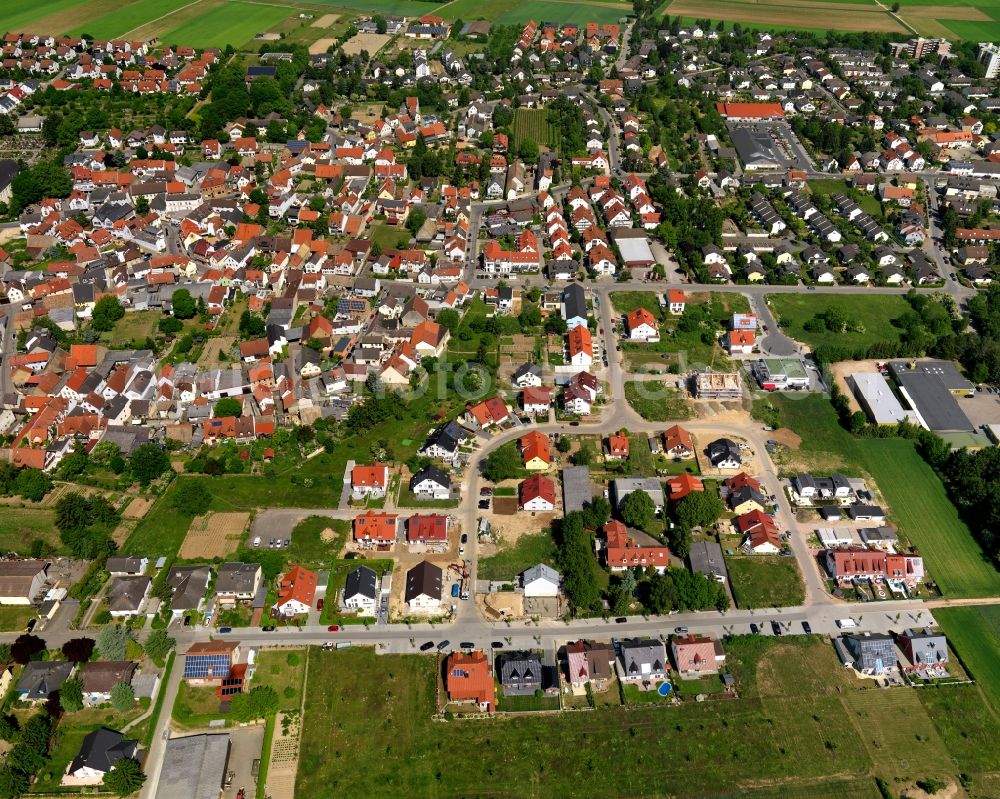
875, 313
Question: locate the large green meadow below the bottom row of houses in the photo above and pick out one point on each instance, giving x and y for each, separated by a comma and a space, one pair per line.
801, 724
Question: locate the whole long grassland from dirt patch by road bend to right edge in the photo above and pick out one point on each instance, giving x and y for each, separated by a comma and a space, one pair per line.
915, 497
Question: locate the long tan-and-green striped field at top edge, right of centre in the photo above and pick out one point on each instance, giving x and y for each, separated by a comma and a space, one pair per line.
834, 16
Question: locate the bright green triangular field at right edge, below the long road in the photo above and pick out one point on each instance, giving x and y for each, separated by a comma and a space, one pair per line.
974, 632
